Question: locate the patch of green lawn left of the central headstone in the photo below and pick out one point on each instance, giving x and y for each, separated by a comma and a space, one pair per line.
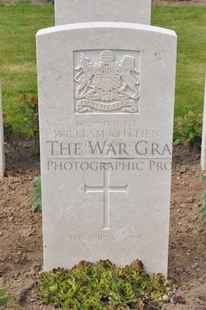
18, 27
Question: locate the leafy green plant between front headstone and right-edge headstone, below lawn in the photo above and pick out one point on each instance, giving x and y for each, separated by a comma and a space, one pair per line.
188, 129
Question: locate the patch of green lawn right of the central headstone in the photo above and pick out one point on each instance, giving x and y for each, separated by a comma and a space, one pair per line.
190, 26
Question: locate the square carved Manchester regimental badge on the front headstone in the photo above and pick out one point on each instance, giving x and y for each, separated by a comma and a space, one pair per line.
106, 82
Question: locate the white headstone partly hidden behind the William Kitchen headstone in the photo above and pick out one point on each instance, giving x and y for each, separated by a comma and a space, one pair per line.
79, 11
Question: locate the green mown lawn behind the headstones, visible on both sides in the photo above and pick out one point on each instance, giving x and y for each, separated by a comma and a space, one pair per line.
19, 24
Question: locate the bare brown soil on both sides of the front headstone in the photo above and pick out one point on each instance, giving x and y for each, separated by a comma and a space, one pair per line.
21, 231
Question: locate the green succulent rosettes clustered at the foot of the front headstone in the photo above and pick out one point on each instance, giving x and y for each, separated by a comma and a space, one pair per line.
103, 286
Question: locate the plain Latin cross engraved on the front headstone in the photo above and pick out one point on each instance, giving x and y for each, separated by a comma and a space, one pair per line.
106, 189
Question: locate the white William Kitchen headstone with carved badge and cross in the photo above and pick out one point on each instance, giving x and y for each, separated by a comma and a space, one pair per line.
106, 125
